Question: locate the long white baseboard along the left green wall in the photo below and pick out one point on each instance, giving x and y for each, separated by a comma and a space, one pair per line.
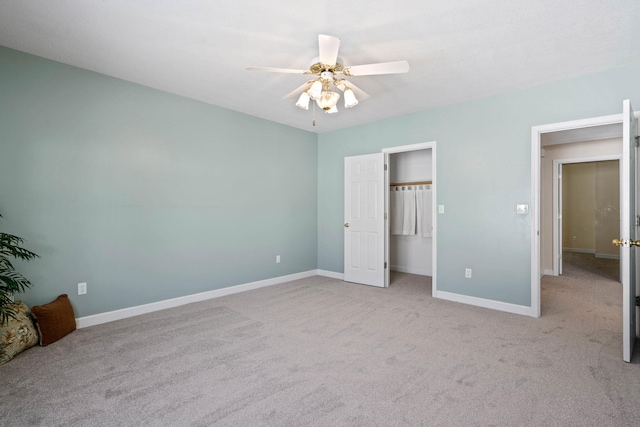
110, 316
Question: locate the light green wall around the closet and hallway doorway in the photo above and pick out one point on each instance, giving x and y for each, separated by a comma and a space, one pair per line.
483, 172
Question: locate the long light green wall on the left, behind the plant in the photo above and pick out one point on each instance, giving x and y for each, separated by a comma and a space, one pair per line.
145, 195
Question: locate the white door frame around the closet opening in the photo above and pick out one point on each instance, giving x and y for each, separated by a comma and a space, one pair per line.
387, 232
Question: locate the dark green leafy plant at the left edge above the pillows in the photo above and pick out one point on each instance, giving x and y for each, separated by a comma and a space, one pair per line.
11, 281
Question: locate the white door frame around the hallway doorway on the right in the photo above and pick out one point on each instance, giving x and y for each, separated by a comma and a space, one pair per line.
536, 136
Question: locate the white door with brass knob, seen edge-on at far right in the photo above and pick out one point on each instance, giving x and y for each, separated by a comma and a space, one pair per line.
627, 241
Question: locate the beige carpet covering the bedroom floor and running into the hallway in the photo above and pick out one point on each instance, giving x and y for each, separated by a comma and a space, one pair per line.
322, 352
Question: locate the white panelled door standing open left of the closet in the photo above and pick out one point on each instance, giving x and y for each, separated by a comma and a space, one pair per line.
364, 219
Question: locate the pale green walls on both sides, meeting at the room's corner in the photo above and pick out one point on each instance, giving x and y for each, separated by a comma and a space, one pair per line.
148, 196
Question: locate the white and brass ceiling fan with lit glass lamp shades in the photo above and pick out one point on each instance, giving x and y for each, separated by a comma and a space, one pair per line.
329, 70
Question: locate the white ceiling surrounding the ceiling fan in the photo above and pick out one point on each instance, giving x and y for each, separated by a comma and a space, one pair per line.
457, 50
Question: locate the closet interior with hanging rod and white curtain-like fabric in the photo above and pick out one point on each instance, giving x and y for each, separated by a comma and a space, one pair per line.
410, 213
